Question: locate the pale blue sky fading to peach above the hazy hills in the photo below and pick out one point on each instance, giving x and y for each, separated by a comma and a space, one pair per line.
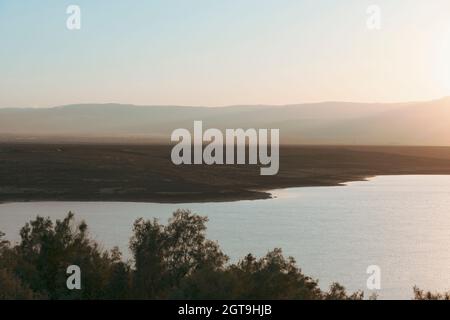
222, 52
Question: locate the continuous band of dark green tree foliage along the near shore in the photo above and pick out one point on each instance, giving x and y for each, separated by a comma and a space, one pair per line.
173, 261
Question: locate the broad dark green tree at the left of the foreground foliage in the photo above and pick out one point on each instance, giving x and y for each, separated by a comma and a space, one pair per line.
47, 249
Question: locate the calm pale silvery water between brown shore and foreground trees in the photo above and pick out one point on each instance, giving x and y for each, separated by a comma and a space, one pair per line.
400, 223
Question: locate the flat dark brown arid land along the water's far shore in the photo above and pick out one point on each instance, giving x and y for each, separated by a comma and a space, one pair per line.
133, 172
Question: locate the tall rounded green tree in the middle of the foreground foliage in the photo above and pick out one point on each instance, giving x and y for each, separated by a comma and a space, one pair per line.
164, 256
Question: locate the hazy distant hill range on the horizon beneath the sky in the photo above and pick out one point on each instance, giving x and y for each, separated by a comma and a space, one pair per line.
415, 123
